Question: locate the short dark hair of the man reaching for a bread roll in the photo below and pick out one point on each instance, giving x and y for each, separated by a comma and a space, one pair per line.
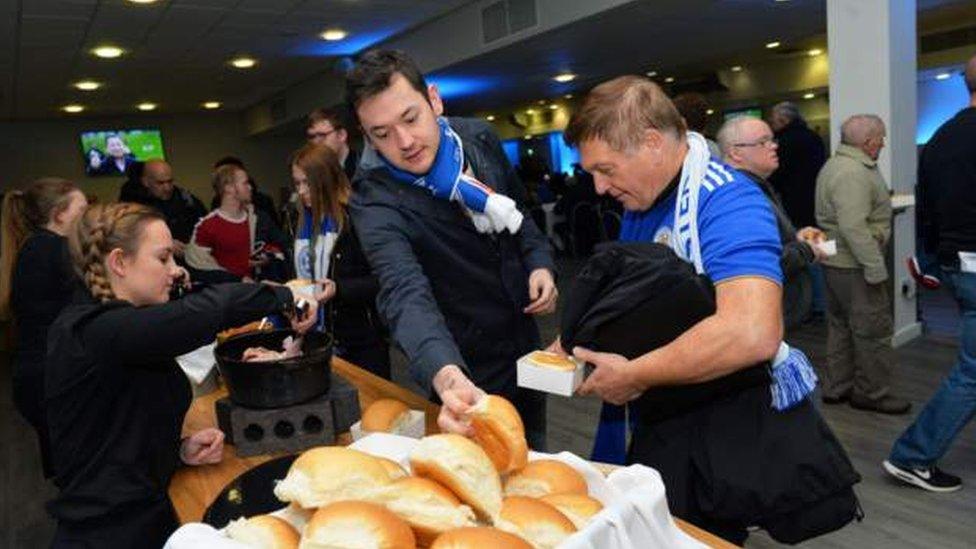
374, 70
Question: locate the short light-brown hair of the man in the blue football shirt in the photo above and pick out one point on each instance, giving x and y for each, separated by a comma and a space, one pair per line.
621, 110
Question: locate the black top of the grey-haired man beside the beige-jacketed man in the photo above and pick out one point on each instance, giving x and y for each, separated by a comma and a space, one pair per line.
801, 155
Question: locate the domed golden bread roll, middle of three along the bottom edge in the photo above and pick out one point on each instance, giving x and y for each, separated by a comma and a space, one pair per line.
357, 525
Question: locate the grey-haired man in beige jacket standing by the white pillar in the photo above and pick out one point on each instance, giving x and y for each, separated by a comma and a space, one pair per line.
854, 208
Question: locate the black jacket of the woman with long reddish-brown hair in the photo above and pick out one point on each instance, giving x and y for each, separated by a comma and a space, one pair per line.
352, 313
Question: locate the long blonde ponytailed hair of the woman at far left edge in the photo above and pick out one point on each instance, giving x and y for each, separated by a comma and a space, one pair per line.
26, 211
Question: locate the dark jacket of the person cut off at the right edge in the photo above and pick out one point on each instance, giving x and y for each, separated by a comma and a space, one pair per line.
947, 188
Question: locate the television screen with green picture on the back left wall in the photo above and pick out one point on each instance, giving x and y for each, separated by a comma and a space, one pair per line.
111, 152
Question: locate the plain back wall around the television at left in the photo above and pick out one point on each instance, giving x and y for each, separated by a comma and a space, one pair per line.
31, 149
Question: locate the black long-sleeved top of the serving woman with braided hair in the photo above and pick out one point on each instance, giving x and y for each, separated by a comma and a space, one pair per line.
116, 397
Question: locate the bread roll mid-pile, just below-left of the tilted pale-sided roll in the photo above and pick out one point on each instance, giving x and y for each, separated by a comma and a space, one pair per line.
428, 507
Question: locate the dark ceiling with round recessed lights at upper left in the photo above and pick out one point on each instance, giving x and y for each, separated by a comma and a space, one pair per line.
178, 49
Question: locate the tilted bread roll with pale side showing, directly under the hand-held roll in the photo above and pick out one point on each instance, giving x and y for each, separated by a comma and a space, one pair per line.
463, 467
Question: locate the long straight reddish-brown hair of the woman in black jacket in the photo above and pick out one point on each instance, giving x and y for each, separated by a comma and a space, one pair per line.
327, 183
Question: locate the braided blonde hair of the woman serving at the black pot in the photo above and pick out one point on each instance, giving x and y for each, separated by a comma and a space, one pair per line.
100, 230
